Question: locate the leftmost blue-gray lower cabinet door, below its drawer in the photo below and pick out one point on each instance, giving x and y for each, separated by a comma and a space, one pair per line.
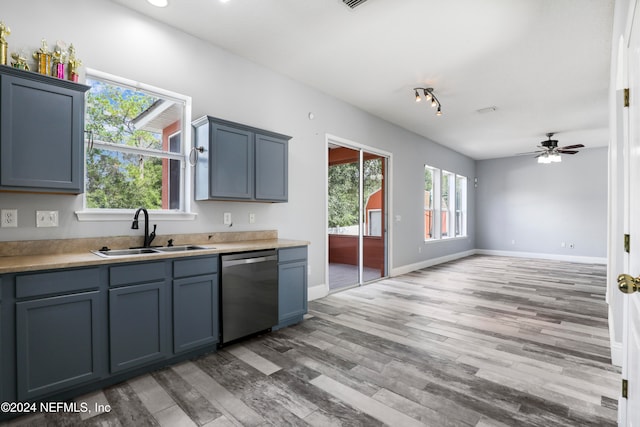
58, 343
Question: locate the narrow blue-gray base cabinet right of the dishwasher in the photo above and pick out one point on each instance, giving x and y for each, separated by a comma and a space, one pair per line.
292, 285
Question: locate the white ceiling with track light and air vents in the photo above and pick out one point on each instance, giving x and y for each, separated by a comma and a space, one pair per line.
543, 63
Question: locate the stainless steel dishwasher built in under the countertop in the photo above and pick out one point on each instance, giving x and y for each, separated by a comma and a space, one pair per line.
249, 293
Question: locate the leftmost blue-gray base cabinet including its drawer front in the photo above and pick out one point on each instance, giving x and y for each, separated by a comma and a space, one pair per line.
59, 339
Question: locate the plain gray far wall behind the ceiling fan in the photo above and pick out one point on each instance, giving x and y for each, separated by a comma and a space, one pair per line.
540, 206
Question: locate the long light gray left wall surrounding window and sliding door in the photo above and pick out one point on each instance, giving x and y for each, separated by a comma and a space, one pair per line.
113, 39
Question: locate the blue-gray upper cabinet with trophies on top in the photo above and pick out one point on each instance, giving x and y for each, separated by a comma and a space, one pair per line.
41, 133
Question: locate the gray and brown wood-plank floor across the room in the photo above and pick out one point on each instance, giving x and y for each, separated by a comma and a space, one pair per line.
482, 341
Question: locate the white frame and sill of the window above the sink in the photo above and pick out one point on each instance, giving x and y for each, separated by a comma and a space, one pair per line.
97, 214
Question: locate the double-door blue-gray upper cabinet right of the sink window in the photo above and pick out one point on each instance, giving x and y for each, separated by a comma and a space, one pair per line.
239, 162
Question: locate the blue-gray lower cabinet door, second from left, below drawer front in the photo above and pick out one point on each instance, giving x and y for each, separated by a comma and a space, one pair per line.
137, 325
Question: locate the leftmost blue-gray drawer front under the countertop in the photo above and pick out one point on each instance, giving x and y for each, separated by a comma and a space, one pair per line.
55, 282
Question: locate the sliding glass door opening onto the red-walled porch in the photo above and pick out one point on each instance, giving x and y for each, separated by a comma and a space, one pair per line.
356, 217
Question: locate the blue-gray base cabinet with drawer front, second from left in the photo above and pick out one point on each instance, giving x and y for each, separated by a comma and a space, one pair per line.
138, 315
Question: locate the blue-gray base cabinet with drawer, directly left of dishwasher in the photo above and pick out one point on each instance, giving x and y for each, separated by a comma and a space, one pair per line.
195, 303
